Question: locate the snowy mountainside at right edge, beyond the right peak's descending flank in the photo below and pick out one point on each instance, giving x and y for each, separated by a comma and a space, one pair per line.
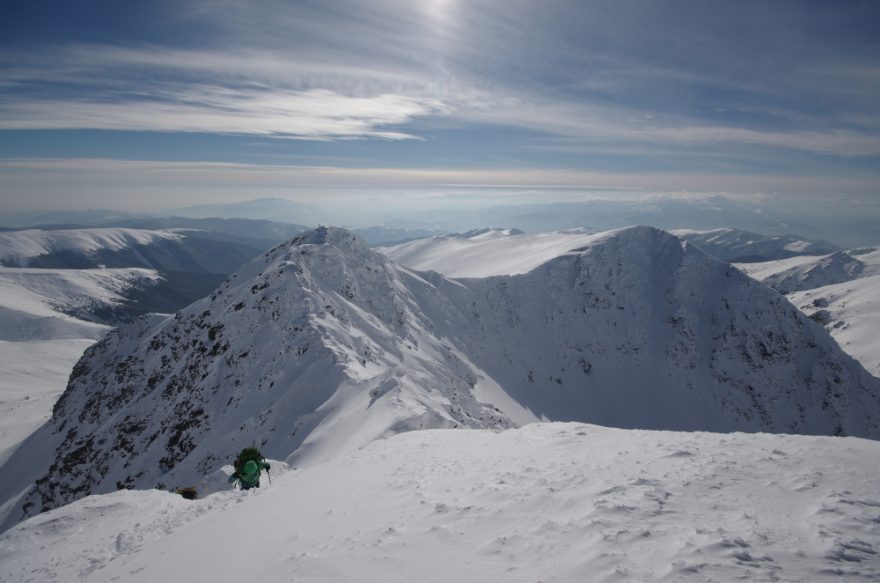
840, 291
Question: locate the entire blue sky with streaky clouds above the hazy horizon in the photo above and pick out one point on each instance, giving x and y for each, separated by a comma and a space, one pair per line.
162, 104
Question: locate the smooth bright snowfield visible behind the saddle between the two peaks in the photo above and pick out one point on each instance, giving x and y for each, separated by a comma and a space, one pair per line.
485, 252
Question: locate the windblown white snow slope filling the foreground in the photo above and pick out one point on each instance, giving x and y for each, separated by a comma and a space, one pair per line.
547, 502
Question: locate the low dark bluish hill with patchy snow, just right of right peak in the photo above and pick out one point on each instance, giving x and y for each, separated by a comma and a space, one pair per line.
736, 245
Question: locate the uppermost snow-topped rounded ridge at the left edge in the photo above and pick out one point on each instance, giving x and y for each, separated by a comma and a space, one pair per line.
19, 247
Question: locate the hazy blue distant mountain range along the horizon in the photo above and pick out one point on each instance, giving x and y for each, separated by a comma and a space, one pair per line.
705, 214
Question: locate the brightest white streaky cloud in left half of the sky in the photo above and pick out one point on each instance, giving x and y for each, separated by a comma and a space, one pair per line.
313, 114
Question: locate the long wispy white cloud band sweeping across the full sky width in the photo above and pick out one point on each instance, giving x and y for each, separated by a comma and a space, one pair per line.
265, 93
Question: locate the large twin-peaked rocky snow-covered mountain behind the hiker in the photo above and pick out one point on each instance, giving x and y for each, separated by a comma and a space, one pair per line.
321, 346
